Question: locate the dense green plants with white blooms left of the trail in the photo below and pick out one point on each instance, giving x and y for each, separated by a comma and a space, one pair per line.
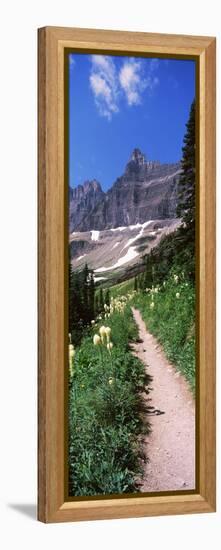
107, 412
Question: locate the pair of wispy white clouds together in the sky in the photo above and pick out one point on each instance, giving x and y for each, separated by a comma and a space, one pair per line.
110, 86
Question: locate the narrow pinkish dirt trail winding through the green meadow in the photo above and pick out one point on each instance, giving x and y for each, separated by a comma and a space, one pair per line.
171, 445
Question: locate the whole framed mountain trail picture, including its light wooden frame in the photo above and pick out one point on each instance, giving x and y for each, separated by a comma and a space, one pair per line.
126, 274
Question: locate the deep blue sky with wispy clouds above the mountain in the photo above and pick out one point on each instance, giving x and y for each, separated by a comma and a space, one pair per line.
119, 103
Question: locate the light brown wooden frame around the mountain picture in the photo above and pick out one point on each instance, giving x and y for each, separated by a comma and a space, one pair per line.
53, 505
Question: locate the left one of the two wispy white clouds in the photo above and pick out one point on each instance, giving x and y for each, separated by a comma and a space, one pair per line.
103, 82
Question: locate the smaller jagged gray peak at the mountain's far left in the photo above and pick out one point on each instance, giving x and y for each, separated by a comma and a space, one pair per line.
82, 200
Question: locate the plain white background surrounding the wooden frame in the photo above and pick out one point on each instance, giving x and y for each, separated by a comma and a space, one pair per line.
18, 247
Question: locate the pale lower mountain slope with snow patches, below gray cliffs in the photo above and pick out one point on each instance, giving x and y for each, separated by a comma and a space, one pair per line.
116, 254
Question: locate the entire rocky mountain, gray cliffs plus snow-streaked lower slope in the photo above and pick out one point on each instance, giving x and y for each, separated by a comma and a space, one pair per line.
113, 231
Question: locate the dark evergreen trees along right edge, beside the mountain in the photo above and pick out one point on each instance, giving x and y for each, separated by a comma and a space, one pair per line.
178, 248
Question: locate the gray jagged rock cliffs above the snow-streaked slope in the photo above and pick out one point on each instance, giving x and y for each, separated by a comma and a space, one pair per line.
146, 191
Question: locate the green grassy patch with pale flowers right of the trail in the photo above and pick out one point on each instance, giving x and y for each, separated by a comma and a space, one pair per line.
169, 313
